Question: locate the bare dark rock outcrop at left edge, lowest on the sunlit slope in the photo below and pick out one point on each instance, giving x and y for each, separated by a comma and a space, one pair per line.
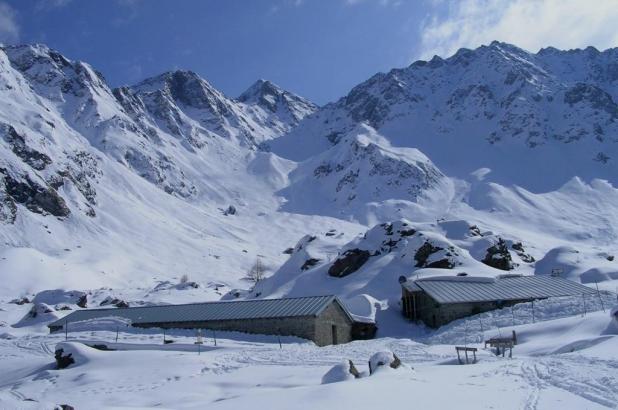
37, 198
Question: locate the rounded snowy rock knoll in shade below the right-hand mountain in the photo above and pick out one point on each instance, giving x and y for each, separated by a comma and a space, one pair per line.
363, 177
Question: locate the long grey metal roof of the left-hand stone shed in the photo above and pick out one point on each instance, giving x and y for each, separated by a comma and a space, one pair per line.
210, 311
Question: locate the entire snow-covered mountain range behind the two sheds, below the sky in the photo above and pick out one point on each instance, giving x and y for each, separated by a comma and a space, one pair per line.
135, 186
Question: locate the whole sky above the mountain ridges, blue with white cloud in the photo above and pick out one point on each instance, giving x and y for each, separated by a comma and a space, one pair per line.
316, 48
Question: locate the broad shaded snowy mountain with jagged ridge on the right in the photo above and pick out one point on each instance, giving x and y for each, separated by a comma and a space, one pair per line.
519, 114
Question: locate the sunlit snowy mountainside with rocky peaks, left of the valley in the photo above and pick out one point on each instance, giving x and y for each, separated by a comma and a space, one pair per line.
98, 188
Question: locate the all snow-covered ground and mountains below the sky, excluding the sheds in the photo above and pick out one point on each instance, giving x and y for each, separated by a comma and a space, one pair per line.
495, 161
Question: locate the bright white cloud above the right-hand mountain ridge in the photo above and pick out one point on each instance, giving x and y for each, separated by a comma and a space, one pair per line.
530, 24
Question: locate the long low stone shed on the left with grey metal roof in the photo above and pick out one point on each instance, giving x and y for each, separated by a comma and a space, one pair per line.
323, 319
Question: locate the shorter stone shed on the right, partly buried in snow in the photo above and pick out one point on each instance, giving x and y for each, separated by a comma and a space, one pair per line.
437, 301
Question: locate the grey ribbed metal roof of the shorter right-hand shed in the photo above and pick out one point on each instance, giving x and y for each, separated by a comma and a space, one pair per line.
475, 289
